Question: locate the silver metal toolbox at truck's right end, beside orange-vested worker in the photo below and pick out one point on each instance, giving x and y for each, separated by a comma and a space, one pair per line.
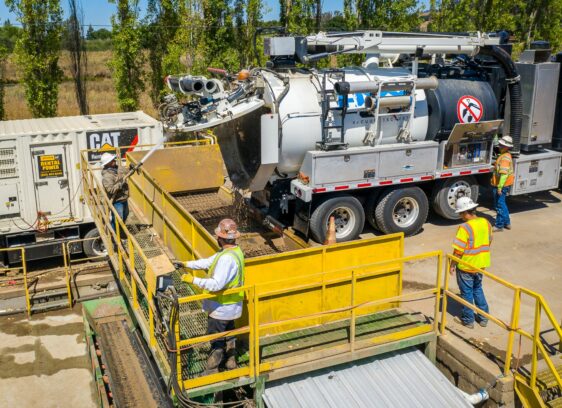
536, 172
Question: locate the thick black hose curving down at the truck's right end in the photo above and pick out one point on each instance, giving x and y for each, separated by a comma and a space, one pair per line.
514, 86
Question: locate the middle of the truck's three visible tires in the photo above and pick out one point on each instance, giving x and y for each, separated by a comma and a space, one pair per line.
402, 210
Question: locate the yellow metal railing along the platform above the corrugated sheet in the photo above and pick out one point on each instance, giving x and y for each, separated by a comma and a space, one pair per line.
260, 323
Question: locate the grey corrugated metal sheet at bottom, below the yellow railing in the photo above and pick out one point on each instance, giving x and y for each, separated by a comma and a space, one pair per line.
401, 379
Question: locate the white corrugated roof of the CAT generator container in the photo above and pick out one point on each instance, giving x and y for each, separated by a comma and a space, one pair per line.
75, 123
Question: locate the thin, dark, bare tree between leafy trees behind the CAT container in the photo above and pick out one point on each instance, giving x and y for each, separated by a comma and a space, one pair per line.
78, 56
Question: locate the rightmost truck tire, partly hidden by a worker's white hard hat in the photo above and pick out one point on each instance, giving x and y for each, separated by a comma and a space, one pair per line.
447, 192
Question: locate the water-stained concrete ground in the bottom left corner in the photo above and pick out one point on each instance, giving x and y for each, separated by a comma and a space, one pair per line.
44, 362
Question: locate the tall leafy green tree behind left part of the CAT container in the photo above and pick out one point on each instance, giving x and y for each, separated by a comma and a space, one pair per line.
37, 52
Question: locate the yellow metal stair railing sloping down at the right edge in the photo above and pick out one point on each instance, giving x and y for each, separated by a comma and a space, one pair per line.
513, 326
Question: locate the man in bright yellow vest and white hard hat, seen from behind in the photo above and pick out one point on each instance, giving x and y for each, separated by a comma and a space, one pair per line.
471, 245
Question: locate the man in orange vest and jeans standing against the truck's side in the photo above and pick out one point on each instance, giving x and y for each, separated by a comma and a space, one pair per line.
502, 180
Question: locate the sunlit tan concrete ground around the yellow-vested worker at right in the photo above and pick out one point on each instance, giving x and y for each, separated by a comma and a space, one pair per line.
530, 255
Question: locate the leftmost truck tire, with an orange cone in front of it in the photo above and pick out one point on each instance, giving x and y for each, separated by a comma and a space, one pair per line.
350, 218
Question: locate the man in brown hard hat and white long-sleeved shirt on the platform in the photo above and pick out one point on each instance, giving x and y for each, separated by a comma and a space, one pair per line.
225, 271
